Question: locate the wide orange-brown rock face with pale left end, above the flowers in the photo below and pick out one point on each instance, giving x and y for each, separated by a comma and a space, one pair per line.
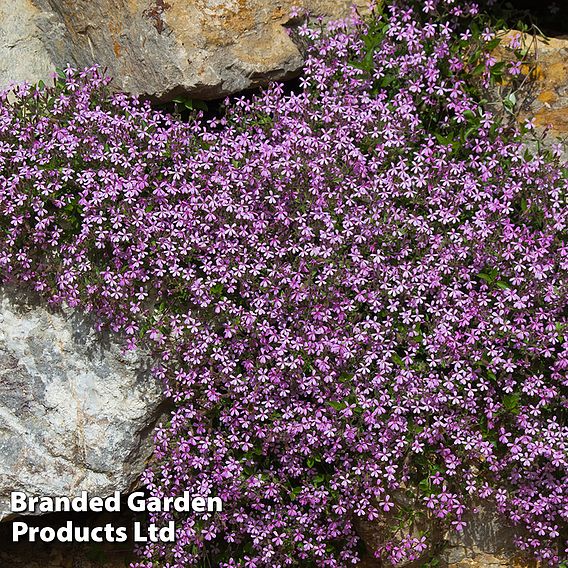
162, 48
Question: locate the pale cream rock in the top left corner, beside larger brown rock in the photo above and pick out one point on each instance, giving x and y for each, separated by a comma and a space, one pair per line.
22, 54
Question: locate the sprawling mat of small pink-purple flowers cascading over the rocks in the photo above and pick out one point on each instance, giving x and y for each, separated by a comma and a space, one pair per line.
356, 293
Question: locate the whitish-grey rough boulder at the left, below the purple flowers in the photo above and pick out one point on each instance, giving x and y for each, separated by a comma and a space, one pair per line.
75, 413
